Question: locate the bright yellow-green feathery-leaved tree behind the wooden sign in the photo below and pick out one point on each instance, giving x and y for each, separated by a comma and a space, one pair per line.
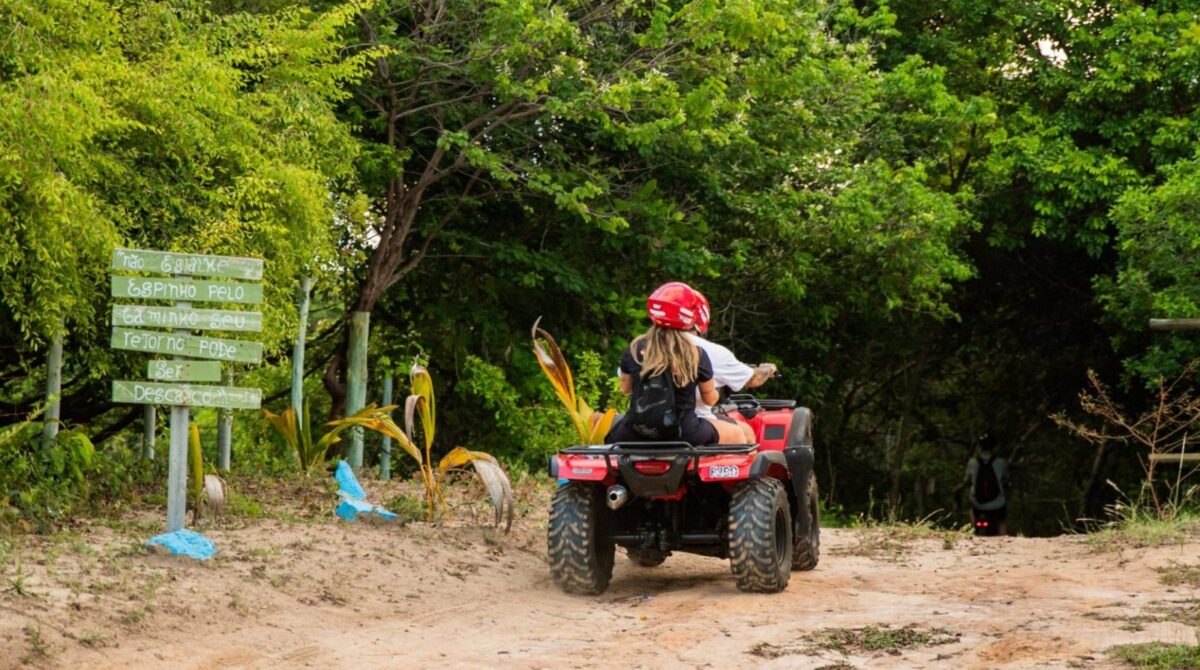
159, 125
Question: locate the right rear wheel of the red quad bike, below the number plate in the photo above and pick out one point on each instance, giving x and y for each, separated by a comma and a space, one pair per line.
761, 536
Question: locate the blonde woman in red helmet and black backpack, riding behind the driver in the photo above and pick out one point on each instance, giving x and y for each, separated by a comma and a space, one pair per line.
664, 372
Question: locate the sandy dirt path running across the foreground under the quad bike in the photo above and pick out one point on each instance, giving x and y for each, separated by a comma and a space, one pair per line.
328, 595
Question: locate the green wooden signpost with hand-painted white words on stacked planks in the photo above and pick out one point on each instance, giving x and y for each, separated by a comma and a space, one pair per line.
172, 382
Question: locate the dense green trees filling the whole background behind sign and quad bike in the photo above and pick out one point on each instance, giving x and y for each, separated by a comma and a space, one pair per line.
937, 218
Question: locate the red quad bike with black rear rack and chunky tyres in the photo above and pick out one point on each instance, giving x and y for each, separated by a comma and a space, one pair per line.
755, 505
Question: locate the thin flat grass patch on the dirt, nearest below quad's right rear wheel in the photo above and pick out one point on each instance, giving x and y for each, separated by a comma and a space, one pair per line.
867, 639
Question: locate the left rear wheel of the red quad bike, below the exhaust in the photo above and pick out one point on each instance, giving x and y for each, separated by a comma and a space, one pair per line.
580, 553
